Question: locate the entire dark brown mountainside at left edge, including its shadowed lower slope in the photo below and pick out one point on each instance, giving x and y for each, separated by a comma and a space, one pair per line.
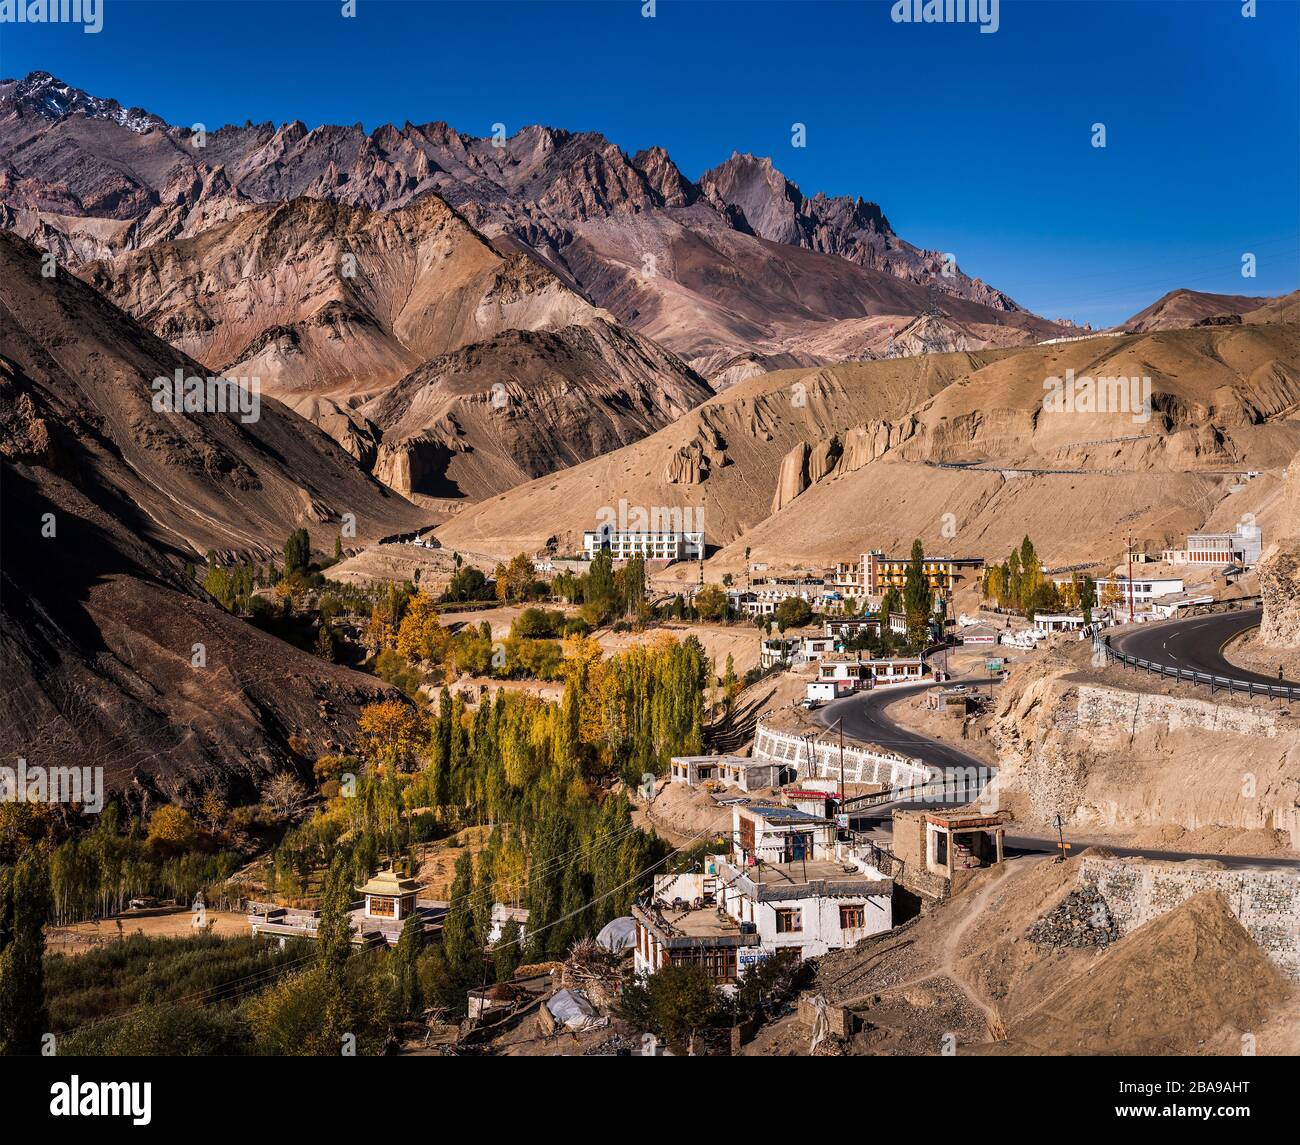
111, 652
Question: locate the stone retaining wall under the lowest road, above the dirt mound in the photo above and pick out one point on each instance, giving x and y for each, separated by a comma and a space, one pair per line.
1266, 903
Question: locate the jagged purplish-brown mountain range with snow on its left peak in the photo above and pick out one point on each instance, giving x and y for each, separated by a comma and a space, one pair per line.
738, 267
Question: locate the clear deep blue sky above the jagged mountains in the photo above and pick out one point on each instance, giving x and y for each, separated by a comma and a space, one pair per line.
974, 144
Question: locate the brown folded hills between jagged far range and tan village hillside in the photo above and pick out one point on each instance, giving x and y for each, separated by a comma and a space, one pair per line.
505, 372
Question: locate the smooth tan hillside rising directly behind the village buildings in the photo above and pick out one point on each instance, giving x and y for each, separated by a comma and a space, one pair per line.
818, 465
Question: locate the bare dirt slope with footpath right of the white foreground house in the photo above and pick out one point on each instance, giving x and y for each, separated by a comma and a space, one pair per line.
1191, 982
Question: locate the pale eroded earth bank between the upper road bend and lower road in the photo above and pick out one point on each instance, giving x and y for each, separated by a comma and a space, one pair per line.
1107, 757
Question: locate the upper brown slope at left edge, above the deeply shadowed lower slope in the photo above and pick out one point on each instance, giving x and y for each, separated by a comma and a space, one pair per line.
80, 374
